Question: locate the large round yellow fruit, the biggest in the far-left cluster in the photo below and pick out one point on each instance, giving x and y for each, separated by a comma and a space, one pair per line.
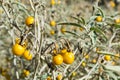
18, 50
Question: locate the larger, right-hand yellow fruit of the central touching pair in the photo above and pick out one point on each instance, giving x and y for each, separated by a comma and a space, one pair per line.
68, 58
